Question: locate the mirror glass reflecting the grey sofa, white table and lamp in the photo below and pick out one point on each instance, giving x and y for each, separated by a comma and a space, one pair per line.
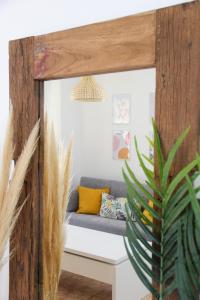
103, 133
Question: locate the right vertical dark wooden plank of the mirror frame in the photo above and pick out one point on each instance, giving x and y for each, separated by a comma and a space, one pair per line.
178, 78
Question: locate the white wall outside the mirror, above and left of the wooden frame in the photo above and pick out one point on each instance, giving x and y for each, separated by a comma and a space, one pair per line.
19, 18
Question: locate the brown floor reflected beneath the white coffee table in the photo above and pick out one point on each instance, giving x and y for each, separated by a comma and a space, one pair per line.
74, 287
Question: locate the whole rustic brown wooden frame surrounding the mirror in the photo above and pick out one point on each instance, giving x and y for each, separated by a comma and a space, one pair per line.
167, 39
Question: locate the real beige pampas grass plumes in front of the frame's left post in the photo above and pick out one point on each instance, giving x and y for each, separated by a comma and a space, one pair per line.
10, 191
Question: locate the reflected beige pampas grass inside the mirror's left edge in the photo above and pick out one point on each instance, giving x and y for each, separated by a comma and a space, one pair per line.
57, 182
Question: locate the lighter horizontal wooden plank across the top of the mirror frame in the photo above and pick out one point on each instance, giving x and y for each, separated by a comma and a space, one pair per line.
123, 44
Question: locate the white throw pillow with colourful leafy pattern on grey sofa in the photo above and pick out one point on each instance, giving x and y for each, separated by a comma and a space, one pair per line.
113, 208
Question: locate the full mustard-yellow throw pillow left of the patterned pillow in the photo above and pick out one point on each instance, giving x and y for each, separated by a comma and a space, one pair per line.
90, 200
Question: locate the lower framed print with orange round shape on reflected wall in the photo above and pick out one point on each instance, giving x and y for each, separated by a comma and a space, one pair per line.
121, 144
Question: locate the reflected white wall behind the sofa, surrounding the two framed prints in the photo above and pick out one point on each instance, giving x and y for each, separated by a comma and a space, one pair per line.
97, 125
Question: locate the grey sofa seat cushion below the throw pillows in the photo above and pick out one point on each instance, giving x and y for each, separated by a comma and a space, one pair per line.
97, 223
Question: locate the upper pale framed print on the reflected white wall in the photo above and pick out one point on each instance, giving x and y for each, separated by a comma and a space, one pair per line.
121, 108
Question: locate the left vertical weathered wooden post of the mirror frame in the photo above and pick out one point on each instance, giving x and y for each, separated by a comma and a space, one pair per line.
26, 240
